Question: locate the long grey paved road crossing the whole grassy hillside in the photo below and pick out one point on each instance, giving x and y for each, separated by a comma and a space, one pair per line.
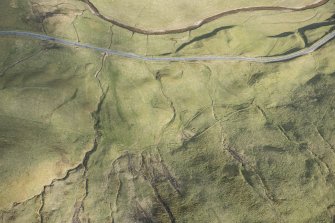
270, 59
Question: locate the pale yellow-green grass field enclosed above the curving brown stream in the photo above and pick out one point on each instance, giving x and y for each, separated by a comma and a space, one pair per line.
154, 15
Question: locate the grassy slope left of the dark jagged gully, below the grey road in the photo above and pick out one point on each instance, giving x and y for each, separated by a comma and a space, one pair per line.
46, 105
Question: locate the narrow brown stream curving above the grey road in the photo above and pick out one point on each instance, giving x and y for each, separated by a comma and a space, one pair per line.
200, 23
